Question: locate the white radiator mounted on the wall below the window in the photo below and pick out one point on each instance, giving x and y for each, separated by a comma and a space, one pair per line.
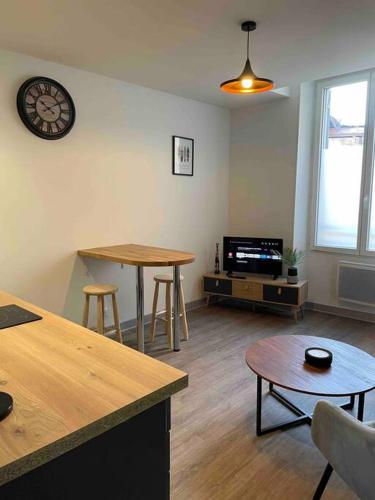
356, 282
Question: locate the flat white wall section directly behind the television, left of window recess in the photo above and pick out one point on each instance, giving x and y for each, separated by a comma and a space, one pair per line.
263, 168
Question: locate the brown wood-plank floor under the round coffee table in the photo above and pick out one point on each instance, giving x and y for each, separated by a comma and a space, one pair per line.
215, 453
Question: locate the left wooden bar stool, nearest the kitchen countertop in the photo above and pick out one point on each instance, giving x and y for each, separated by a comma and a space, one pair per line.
100, 291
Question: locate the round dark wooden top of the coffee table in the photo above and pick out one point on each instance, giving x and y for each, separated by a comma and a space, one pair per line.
281, 360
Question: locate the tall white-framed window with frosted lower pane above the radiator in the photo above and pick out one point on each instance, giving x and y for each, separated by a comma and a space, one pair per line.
344, 212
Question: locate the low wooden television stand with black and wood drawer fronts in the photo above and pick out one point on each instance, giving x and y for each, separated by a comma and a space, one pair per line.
257, 289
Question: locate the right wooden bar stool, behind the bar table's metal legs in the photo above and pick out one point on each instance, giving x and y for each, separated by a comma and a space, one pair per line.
168, 281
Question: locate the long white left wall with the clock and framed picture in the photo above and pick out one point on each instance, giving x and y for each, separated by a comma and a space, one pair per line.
108, 182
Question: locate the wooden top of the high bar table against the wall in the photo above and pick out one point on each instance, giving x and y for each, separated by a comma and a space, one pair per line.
139, 255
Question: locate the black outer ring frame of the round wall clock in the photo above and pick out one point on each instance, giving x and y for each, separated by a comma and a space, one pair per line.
23, 115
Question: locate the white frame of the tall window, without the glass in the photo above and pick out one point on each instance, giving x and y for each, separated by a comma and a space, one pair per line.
363, 225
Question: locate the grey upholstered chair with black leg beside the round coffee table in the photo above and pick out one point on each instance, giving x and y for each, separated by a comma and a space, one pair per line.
349, 447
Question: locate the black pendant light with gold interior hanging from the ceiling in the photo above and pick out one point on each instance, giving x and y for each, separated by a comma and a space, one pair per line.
247, 82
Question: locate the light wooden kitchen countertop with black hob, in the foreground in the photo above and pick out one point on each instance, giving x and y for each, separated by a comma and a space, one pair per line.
69, 384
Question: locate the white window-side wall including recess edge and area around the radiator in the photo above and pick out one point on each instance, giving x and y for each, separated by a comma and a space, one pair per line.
271, 184
